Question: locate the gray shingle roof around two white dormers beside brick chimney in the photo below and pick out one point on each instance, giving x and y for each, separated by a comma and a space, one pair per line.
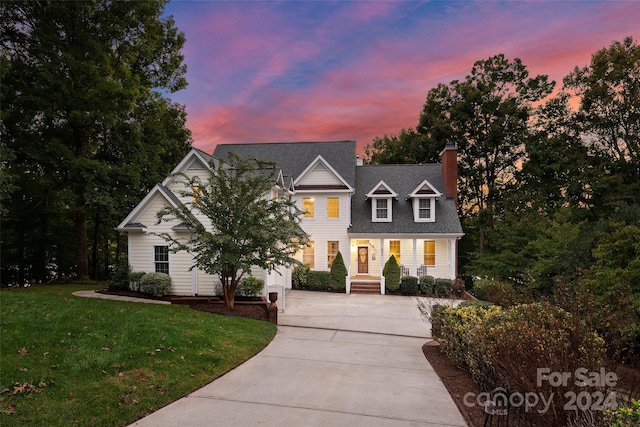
403, 179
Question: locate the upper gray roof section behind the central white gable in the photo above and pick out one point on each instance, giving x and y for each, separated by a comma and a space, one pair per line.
295, 157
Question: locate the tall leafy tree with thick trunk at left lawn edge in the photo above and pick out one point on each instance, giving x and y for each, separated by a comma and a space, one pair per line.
76, 76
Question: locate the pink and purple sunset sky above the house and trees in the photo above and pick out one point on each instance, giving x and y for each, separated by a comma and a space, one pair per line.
274, 71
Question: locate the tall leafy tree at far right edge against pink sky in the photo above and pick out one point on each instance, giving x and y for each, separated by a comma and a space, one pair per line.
609, 121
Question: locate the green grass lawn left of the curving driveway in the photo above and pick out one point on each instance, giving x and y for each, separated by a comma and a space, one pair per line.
67, 360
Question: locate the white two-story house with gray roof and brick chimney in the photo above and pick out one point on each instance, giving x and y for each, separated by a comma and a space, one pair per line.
366, 212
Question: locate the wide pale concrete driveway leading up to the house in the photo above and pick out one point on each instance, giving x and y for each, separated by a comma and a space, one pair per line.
337, 360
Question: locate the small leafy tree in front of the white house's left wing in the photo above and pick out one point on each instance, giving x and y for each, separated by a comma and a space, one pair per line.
234, 223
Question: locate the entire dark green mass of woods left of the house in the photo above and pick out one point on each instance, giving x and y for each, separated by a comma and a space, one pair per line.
83, 115
